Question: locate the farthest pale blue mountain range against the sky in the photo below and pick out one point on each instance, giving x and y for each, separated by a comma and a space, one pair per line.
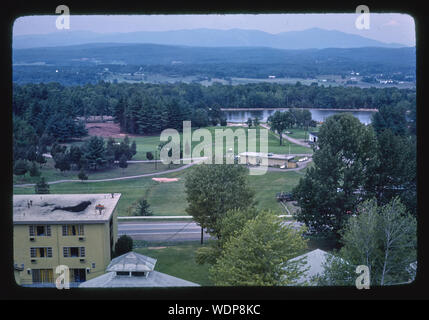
314, 38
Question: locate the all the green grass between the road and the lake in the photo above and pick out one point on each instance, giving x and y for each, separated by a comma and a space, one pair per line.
165, 198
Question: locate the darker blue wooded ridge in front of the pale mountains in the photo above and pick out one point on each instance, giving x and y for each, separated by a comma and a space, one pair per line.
153, 54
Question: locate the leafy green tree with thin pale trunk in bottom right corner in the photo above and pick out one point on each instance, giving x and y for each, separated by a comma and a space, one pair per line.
384, 238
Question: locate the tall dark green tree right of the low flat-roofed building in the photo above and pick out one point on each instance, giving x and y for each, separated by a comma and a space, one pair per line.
343, 167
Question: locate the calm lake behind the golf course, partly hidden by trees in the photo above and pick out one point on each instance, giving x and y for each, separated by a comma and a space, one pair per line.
316, 114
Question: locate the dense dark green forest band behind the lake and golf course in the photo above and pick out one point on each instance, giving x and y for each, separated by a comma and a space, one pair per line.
45, 113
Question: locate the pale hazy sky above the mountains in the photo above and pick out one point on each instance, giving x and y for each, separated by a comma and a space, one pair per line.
386, 27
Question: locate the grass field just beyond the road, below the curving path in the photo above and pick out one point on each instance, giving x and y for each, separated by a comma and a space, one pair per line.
169, 199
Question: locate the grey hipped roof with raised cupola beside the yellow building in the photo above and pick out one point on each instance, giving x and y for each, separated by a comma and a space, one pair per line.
134, 270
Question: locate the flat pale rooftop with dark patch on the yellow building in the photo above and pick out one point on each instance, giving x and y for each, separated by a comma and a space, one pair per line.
64, 208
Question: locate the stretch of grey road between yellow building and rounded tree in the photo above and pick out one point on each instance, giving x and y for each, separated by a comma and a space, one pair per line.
162, 231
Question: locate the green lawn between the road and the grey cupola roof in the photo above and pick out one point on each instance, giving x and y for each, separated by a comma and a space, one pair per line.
179, 261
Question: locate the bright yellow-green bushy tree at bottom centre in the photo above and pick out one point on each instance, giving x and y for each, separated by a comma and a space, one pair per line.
260, 254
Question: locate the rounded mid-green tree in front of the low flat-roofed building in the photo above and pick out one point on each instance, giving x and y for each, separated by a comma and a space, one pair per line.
212, 190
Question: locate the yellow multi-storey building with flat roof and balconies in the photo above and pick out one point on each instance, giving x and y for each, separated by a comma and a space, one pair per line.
75, 230
